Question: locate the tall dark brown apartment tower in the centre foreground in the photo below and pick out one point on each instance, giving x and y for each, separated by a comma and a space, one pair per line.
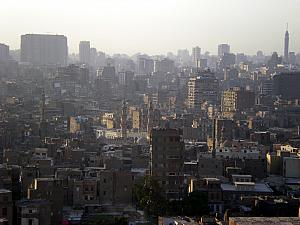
167, 148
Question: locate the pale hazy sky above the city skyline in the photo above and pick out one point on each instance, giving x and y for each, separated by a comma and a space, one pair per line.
155, 26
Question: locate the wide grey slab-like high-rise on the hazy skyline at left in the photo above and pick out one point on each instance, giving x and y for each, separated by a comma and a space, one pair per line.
44, 49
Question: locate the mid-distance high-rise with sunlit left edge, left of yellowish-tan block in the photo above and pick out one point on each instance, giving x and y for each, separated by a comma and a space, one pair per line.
203, 87
